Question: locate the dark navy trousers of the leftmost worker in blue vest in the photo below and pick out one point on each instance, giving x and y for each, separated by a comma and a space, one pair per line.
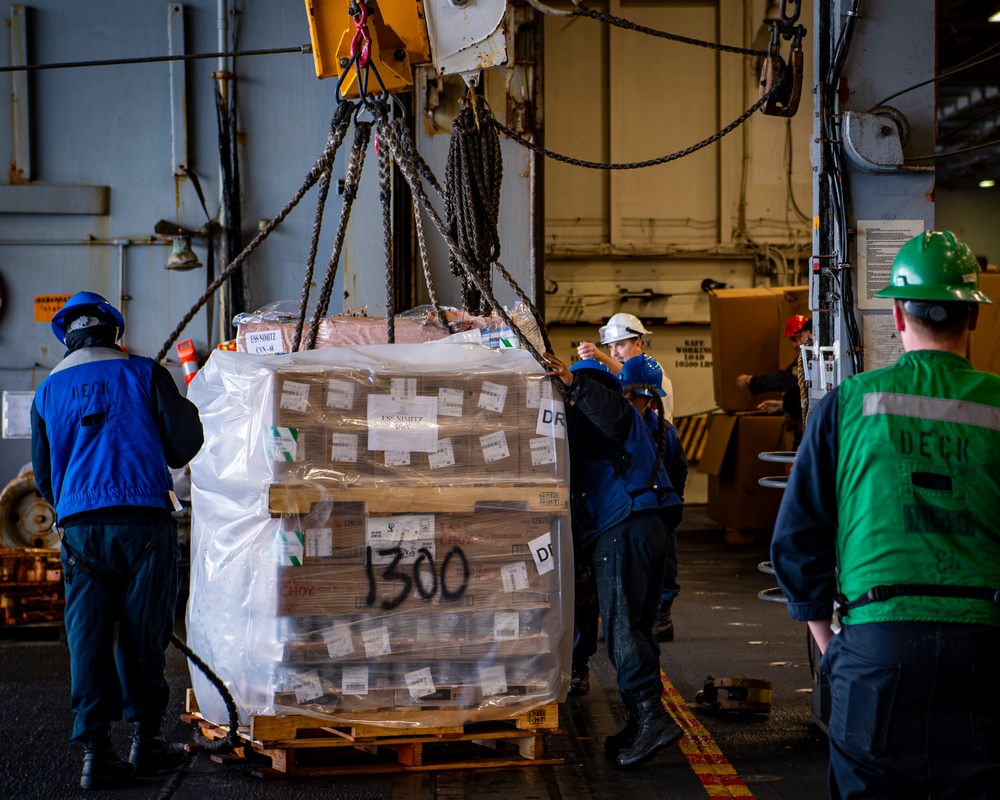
125, 680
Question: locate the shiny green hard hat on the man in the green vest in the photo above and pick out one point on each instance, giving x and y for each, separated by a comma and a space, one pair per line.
935, 266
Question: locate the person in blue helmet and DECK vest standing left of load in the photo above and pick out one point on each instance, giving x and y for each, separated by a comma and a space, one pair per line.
105, 427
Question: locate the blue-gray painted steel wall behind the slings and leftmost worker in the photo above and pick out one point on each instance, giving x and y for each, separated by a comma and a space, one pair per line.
110, 126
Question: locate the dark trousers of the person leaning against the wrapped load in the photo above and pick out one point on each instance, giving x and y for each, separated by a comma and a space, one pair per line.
628, 566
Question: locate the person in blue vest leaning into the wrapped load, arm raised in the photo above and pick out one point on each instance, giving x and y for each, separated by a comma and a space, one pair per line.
618, 489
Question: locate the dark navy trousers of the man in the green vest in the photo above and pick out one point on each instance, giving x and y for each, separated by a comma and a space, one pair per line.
914, 711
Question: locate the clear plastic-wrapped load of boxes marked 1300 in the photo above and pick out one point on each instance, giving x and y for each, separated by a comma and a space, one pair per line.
380, 534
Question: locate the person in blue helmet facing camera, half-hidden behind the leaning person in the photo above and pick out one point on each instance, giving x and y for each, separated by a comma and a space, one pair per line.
642, 379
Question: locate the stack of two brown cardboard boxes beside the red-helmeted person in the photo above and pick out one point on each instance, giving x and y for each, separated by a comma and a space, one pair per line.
747, 339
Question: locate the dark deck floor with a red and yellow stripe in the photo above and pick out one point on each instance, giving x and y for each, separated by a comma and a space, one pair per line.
722, 630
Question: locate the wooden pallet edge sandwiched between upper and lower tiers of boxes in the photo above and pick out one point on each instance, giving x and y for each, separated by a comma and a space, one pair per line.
299, 498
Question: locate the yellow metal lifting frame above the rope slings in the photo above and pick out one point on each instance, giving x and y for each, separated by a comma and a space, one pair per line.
399, 40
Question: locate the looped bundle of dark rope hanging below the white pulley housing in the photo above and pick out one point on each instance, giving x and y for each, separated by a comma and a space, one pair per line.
472, 195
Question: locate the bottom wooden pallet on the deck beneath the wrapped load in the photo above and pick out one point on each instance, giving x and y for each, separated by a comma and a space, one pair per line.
300, 746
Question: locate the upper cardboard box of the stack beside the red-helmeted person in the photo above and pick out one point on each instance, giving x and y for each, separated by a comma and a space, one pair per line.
748, 338
